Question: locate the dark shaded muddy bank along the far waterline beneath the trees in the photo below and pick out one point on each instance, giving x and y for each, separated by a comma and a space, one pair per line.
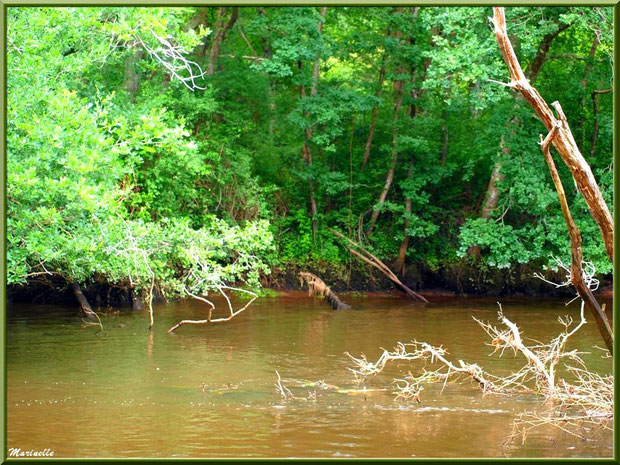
452, 280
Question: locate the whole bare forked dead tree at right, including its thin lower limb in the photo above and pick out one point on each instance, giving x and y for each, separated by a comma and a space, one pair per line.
561, 137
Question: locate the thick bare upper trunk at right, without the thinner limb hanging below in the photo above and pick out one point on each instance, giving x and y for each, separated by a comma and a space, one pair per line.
564, 141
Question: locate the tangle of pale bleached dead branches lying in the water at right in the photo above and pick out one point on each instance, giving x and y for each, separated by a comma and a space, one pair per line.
586, 401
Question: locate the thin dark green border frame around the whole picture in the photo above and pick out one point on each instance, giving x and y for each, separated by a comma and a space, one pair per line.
4, 4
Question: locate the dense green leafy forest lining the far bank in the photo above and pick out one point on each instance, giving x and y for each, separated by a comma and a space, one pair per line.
174, 151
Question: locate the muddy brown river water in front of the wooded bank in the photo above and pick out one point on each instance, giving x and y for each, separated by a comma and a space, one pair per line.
208, 391
